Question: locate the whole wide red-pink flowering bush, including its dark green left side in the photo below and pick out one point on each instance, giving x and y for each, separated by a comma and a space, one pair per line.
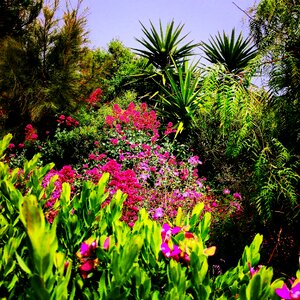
141, 157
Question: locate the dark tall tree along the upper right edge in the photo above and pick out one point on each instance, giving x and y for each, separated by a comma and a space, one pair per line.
275, 28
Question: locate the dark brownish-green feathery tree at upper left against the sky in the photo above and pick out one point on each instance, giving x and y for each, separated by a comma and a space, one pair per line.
39, 71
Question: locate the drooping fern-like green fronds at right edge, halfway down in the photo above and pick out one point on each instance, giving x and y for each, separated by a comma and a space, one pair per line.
277, 182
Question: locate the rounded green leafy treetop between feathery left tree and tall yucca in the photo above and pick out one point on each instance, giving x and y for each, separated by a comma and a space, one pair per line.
113, 70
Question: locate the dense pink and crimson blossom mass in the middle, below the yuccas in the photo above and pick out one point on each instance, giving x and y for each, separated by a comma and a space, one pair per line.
160, 179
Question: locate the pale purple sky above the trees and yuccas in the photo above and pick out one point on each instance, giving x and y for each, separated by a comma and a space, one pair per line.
119, 19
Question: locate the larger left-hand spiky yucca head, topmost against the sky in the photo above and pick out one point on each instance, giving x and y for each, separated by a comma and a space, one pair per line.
162, 48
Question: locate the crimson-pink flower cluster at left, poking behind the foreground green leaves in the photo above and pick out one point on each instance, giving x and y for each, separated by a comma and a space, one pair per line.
66, 174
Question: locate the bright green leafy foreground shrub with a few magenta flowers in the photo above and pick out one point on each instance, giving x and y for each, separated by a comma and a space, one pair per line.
88, 252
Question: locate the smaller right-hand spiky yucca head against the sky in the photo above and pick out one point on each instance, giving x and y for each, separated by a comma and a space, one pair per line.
234, 54
